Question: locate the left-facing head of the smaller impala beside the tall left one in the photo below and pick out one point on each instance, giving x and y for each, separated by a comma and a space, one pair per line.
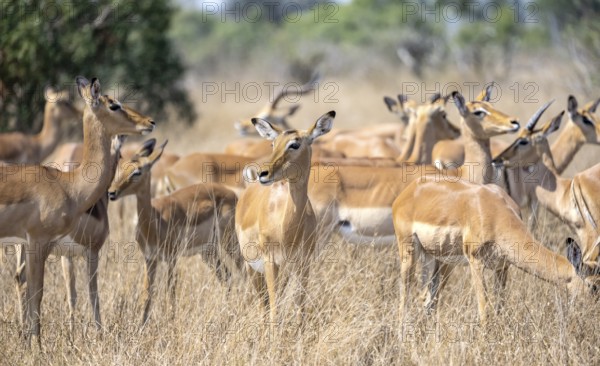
134, 173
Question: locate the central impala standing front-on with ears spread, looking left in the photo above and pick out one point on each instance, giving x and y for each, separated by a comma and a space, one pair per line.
274, 220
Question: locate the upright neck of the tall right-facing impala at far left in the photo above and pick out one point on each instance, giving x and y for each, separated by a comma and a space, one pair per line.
92, 178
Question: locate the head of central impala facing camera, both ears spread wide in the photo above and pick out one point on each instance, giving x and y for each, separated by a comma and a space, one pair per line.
291, 155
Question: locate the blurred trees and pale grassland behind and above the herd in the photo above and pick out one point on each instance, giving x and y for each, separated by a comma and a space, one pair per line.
188, 62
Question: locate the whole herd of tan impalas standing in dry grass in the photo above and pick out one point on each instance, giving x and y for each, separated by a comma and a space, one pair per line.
445, 195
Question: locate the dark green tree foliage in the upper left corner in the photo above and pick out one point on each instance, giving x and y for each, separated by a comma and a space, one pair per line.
124, 44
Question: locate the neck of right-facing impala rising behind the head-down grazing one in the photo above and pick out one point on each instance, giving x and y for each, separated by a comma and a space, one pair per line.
478, 158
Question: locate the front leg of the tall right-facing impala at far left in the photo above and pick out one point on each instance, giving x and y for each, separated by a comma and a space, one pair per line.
36, 254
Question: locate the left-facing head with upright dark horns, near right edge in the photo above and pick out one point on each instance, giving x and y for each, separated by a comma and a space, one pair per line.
531, 143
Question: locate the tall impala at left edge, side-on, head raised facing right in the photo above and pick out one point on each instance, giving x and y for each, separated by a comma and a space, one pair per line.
46, 206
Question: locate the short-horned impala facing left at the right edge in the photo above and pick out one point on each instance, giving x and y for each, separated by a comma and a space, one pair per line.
572, 200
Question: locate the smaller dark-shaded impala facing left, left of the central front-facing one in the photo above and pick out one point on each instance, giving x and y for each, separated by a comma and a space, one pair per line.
196, 219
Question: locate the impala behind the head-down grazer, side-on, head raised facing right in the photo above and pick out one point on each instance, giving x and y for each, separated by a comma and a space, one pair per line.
360, 198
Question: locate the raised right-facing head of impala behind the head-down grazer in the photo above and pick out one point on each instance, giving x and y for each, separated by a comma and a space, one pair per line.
482, 119
